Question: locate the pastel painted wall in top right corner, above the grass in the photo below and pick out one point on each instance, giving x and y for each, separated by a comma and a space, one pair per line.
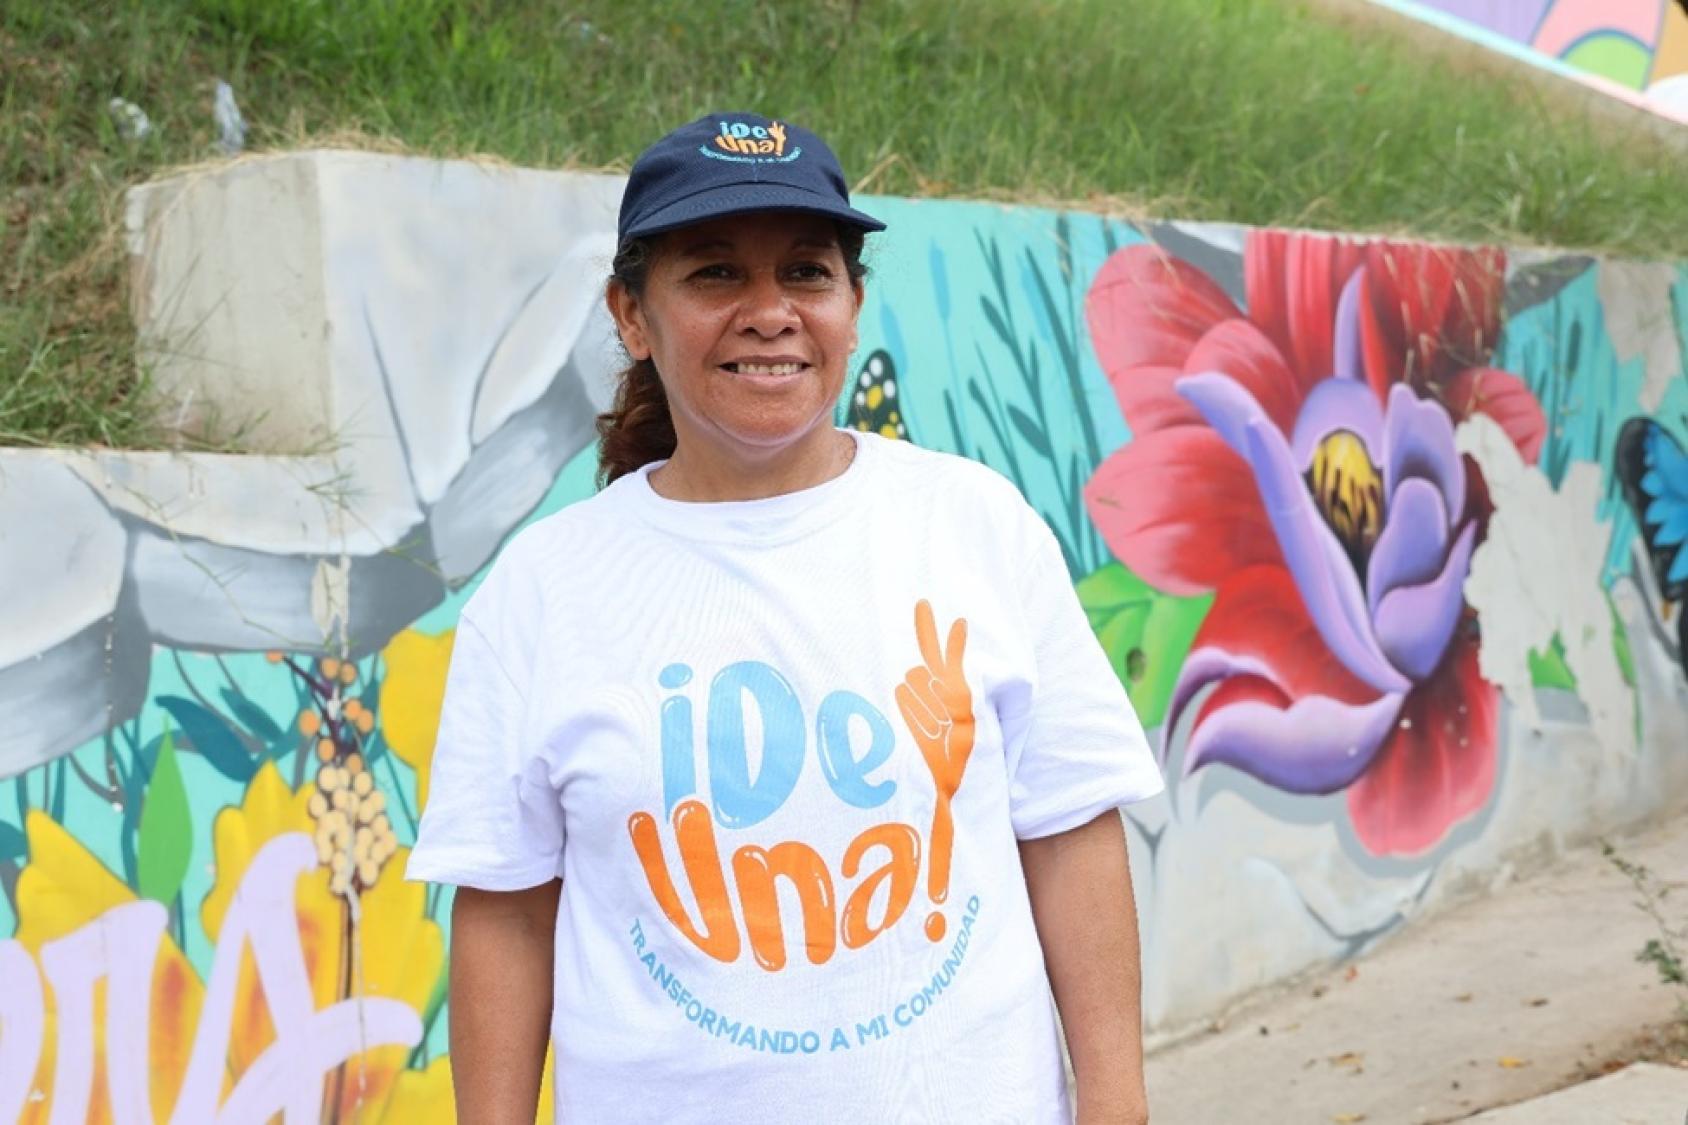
1631, 50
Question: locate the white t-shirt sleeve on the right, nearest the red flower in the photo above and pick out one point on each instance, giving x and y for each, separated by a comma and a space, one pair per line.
1073, 742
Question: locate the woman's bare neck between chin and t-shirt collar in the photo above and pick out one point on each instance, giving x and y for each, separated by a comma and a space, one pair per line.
703, 477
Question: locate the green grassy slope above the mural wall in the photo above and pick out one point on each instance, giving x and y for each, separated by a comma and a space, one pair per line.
1247, 111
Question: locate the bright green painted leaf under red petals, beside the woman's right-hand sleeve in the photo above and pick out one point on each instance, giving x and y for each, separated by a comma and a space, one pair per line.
1145, 634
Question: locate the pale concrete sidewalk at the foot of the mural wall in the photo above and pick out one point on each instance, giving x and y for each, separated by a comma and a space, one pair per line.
1488, 1004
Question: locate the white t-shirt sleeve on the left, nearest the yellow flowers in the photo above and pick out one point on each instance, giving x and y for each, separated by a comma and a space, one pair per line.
492, 822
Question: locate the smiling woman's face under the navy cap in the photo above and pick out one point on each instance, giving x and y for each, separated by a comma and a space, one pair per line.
752, 322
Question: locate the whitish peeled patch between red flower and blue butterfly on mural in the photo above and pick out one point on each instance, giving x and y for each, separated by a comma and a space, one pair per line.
1537, 573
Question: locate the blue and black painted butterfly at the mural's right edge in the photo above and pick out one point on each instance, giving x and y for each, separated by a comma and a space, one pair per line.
1653, 470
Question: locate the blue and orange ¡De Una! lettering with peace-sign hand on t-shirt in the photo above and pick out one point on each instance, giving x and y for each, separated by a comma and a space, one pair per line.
936, 705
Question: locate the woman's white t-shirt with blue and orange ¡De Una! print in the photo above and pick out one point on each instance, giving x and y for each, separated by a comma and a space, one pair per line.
791, 884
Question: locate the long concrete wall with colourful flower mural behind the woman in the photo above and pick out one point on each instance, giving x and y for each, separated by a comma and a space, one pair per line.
1385, 541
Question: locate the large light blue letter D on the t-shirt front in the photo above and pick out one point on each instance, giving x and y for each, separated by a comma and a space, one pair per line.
738, 802
